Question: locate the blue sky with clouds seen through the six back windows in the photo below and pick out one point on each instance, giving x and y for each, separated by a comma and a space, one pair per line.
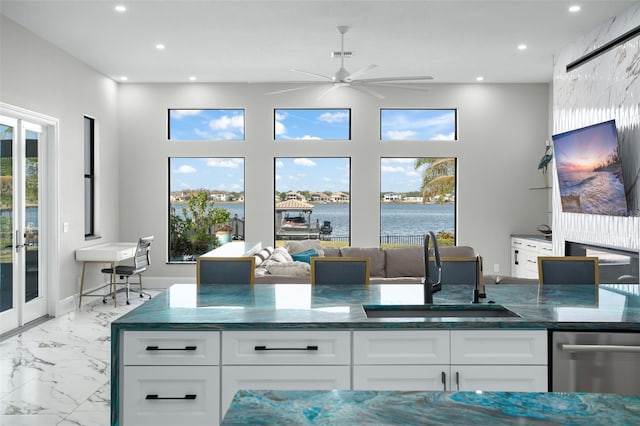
298, 174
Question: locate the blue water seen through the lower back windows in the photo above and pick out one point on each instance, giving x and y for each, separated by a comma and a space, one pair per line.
395, 219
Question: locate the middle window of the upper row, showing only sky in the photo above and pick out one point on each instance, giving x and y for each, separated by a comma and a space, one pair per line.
312, 124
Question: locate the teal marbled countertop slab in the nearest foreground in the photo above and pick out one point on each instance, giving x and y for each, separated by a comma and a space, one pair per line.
436, 408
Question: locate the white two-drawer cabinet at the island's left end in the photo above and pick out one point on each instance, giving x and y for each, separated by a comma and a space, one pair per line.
170, 377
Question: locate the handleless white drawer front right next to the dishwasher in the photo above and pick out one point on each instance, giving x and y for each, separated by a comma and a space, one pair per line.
499, 347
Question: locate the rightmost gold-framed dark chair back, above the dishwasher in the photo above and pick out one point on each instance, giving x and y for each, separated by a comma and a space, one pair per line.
568, 270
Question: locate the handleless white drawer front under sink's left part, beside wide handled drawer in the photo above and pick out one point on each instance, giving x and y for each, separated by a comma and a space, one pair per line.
401, 347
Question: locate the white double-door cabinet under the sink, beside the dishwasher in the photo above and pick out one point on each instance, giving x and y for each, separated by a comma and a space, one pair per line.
492, 360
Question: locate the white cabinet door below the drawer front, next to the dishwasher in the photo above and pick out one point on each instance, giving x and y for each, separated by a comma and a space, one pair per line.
502, 378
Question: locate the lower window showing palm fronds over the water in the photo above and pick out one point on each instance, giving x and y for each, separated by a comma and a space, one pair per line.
418, 195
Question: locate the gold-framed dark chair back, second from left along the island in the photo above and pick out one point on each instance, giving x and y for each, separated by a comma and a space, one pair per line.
340, 270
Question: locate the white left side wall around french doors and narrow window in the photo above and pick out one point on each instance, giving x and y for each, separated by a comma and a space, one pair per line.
38, 77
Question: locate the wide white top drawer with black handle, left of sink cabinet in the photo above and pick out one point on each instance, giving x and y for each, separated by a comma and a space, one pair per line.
286, 347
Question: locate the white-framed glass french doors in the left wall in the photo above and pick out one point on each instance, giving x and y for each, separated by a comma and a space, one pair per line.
22, 293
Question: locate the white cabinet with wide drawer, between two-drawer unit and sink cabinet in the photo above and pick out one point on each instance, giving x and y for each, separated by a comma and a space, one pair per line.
284, 360
